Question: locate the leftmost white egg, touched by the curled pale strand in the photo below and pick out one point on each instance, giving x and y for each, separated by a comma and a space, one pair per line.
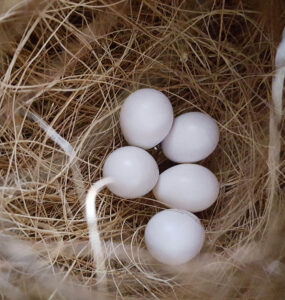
133, 170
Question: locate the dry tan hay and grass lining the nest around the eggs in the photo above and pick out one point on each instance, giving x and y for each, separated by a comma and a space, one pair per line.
67, 66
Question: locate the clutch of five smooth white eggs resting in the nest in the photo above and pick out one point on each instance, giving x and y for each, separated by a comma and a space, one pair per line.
173, 236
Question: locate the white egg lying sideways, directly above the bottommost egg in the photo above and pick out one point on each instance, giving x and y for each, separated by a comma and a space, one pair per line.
187, 186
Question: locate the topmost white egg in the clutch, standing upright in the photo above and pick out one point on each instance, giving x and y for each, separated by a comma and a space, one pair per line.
146, 118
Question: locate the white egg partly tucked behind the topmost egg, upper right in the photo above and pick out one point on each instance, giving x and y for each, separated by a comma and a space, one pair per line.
193, 137
